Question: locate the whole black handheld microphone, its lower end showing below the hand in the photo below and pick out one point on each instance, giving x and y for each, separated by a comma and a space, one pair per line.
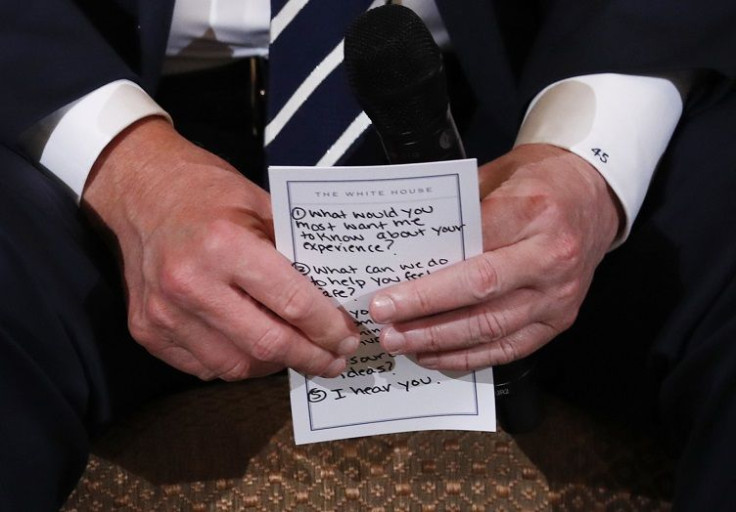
397, 74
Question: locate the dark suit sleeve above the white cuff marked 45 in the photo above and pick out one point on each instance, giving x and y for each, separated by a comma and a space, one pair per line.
631, 36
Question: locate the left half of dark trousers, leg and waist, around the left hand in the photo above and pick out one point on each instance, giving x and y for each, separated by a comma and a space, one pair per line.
68, 365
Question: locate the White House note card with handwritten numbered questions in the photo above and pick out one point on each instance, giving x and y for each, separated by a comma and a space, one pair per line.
352, 231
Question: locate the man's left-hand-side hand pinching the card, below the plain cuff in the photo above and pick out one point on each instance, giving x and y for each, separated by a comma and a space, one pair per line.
207, 291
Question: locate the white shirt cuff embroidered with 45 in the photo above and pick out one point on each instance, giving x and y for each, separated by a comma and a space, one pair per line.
620, 124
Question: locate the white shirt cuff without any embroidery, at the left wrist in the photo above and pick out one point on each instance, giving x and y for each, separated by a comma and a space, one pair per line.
83, 128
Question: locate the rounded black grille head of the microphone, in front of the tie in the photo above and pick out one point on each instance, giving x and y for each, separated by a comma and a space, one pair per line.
395, 69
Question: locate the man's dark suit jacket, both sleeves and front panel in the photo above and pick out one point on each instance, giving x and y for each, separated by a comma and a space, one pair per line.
54, 51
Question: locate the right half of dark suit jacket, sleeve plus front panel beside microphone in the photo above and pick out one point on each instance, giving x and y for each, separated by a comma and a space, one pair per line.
557, 39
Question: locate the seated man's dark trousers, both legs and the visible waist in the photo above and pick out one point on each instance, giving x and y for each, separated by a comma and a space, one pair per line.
658, 324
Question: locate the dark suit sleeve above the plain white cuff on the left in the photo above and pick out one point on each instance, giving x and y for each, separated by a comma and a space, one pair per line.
52, 53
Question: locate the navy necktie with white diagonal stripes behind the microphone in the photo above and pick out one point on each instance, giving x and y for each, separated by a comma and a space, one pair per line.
313, 118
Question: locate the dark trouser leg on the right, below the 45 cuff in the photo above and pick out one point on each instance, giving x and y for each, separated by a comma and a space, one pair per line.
655, 341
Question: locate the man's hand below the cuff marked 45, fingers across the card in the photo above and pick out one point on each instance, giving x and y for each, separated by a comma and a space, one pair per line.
548, 219
